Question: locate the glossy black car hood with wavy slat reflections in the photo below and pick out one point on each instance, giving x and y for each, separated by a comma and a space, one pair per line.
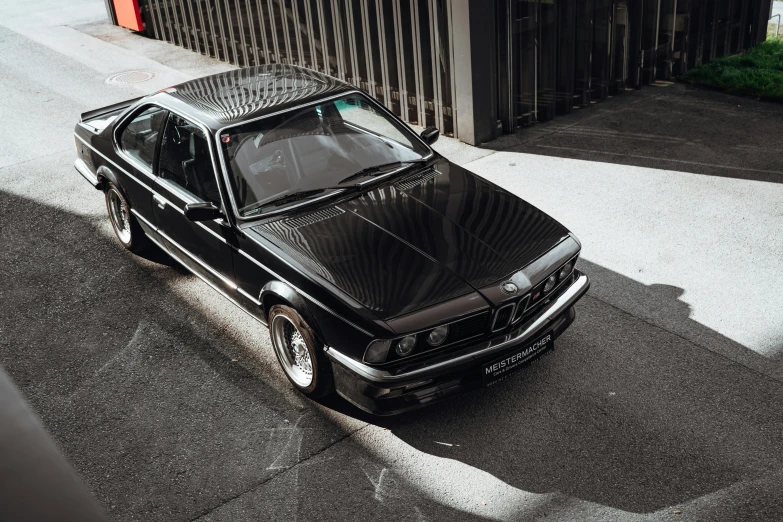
430, 237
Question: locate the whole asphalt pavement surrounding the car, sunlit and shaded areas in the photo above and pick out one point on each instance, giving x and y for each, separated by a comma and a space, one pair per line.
662, 402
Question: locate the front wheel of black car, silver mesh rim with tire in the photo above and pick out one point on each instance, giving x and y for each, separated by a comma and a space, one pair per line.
290, 335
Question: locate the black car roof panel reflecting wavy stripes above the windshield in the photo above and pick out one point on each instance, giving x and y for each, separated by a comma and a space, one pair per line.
233, 97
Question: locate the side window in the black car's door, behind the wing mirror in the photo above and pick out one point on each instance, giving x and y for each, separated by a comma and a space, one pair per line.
185, 159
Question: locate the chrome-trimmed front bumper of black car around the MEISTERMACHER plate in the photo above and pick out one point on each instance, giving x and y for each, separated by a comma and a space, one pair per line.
385, 393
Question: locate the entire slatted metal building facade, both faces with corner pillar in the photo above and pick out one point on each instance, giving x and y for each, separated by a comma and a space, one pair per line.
473, 68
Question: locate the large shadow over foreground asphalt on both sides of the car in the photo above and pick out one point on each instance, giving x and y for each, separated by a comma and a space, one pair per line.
167, 415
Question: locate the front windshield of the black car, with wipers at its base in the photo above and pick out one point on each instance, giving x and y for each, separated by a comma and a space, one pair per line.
310, 150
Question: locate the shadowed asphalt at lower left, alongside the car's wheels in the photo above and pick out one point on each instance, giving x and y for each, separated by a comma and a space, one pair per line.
163, 411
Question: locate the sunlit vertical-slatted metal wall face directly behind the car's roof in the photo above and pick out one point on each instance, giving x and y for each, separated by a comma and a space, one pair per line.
399, 51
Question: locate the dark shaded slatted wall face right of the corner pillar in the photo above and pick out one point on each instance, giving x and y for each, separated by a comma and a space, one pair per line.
555, 56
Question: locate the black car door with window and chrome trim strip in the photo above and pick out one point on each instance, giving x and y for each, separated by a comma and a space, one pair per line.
186, 174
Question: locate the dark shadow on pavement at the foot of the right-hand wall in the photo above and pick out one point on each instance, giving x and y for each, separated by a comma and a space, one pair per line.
671, 127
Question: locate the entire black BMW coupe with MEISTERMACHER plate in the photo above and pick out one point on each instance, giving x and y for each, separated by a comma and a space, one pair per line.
384, 272
